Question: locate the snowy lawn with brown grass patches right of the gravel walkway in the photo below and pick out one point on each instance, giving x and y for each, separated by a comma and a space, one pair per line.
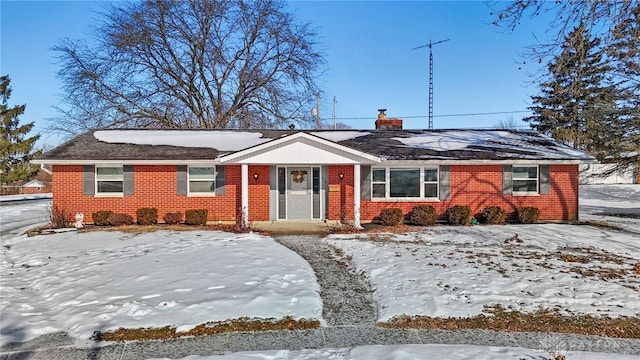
455, 271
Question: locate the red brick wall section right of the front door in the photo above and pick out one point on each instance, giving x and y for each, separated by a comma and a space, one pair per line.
479, 186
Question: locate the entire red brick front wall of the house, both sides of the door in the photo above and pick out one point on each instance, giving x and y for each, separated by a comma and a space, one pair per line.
155, 186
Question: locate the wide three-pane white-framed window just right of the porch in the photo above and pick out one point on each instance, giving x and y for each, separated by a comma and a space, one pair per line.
404, 183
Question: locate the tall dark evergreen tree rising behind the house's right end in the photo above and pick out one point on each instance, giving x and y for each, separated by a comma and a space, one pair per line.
577, 100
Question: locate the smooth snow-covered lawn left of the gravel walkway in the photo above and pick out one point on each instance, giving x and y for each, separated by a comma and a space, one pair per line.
83, 282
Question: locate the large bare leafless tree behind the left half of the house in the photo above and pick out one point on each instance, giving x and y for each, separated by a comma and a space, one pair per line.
190, 64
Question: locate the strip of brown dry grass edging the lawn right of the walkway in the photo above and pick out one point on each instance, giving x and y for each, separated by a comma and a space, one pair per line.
498, 318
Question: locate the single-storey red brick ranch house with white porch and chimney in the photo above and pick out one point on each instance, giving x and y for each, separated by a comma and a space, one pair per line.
284, 175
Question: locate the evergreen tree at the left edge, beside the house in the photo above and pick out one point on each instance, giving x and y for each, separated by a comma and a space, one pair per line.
15, 150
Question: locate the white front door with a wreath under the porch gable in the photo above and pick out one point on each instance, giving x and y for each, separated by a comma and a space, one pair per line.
299, 192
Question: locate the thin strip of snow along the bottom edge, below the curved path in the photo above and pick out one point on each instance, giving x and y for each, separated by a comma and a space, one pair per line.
403, 352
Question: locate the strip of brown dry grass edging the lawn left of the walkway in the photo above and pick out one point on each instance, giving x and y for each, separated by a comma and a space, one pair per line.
211, 328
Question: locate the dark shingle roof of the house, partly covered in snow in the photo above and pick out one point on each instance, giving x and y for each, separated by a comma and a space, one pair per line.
403, 145
